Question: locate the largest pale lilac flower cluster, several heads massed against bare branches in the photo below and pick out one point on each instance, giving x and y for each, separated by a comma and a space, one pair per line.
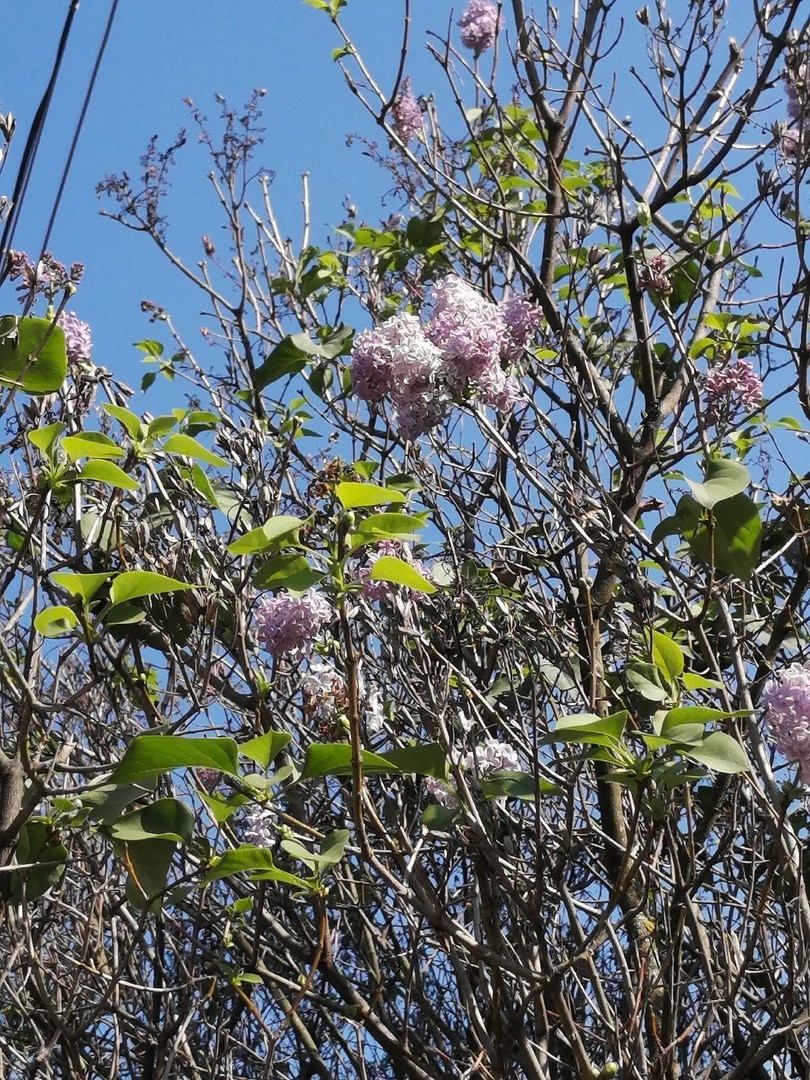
461, 349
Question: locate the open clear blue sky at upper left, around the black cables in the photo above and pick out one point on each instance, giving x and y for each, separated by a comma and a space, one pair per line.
160, 52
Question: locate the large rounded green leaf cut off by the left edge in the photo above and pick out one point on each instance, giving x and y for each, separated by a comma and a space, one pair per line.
33, 337
